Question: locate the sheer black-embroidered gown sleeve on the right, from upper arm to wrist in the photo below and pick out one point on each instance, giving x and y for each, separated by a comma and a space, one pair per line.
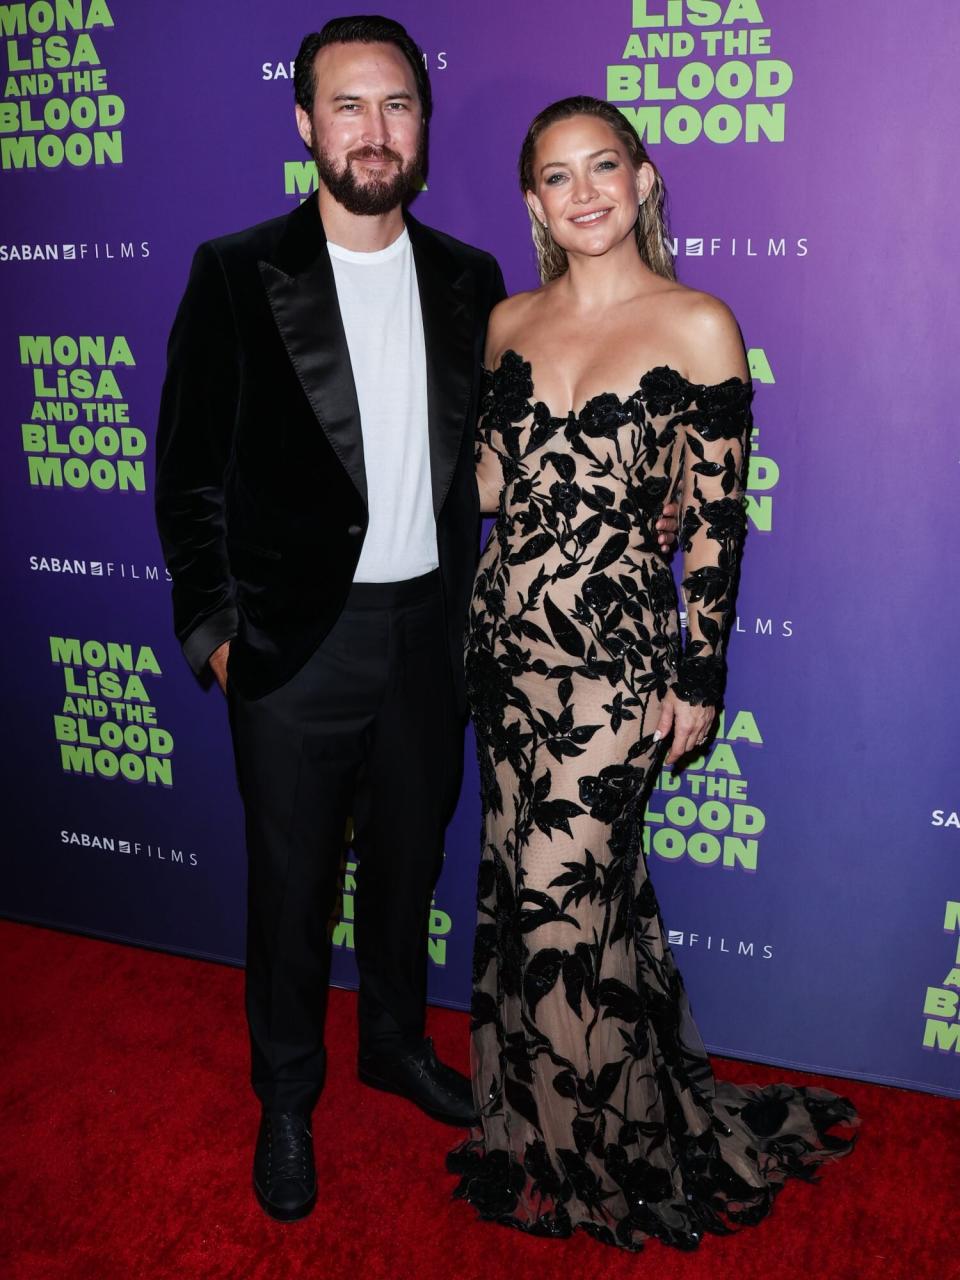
714, 523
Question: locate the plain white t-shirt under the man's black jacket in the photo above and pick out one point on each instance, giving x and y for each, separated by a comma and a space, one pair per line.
381, 310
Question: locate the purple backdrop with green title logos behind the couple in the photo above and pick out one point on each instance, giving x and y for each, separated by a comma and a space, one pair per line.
808, 867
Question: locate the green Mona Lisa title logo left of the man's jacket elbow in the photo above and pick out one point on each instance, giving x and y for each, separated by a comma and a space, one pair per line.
80, 431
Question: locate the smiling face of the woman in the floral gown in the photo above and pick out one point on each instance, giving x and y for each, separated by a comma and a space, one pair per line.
586, 186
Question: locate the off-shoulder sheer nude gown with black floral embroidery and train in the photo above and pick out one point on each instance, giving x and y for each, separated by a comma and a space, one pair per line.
600, 1109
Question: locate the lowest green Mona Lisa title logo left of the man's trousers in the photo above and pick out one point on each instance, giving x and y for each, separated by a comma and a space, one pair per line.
107, 726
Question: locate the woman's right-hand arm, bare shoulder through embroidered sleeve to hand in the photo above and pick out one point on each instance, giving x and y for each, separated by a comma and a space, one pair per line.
717, 436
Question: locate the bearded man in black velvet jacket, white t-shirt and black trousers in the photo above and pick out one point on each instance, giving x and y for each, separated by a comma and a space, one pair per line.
318, 509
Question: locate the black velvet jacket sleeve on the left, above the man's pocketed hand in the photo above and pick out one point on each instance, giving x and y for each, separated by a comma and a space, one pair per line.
198, 414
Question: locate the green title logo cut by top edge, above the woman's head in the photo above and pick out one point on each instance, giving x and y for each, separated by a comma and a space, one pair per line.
701, 68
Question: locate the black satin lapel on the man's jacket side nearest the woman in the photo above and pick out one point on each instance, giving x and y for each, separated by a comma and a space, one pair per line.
447, 308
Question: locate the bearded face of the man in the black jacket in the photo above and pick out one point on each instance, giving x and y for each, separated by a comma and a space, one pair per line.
367, 129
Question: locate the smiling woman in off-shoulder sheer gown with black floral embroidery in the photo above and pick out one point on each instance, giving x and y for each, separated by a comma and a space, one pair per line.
612, 390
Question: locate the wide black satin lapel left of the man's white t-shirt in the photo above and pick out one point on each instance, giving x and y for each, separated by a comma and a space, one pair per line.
304, 301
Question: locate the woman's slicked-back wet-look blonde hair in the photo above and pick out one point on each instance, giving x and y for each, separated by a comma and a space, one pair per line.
651, 227
